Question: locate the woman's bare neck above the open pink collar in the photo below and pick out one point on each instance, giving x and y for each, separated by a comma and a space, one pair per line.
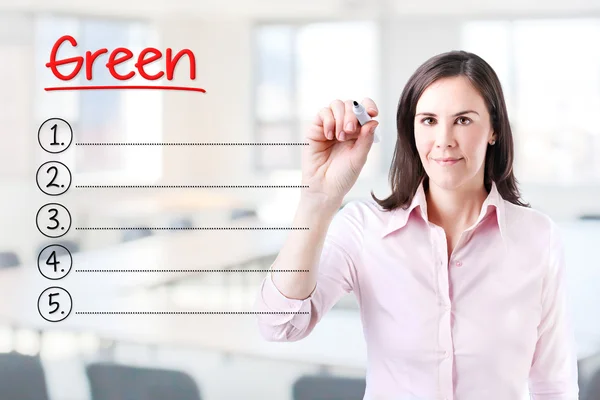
455, 209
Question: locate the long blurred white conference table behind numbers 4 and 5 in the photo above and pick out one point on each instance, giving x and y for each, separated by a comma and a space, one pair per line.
95, 293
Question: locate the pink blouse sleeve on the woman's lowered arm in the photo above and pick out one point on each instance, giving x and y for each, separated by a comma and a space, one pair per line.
553, 374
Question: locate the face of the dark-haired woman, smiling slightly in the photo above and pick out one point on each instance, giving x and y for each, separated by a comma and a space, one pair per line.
452, 132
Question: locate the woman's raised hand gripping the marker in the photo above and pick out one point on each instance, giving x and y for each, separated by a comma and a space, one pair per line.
337, 150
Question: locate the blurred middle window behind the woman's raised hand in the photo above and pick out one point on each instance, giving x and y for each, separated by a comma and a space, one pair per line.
302, 68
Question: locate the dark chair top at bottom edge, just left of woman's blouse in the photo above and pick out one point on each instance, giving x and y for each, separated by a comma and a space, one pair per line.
328, 388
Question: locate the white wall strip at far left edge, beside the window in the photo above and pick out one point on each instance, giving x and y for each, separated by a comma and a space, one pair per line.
18, 132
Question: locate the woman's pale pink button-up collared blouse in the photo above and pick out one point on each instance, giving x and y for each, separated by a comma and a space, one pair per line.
489, 323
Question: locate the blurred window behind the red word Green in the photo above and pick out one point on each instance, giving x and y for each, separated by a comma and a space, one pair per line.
101, 115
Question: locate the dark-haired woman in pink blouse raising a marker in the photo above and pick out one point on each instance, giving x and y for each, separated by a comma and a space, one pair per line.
461, 286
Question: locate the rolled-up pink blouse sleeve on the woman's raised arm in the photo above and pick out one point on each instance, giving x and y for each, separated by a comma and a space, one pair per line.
294, 319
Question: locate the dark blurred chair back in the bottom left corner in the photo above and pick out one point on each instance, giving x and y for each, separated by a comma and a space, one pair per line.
22, 377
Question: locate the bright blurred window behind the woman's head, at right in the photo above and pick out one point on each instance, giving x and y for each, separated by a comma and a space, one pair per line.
551, 78
